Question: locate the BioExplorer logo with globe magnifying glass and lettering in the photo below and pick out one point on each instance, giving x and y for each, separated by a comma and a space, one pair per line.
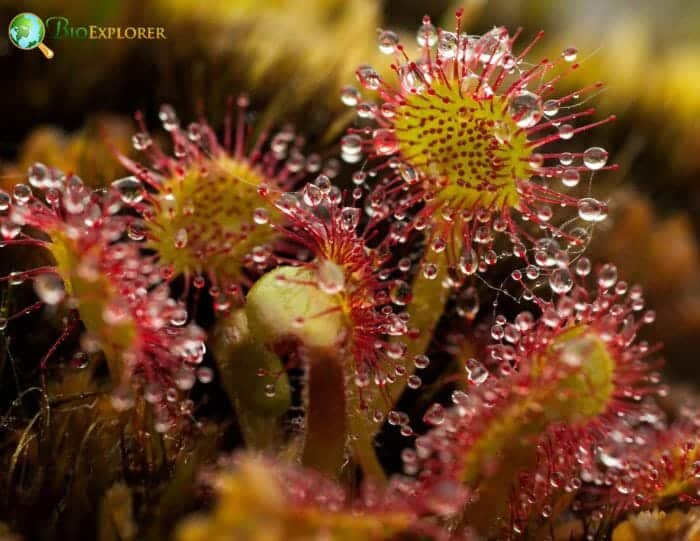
27, 31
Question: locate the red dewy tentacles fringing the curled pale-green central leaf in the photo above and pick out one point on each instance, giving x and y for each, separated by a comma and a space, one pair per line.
351, 260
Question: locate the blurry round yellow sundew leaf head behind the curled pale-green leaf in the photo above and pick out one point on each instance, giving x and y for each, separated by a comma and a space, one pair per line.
203, 207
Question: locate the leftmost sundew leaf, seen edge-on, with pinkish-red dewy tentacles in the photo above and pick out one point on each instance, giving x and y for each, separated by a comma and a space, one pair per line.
117, 291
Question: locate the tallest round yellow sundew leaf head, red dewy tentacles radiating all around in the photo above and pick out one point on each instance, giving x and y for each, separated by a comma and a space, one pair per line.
461, 136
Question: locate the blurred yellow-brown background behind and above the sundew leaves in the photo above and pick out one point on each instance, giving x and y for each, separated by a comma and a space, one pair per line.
293, 56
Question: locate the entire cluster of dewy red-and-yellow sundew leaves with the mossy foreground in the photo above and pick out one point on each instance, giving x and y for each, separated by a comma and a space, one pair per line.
402, 336
